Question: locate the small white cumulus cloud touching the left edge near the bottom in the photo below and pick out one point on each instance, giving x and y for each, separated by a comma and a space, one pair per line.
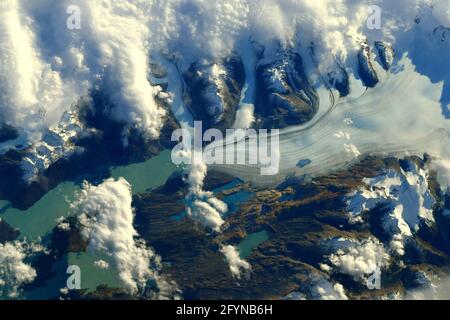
14, 270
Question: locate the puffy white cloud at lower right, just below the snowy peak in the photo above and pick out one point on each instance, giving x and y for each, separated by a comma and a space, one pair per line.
358, 259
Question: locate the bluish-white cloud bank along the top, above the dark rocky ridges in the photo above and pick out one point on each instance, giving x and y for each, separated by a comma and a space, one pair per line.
205, 29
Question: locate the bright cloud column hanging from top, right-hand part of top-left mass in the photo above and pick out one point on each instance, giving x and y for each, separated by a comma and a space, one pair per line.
122, 42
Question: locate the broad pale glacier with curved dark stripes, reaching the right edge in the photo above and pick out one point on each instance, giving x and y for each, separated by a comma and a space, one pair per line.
381, 121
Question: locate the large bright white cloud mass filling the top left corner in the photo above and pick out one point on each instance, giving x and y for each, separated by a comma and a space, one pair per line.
45, 67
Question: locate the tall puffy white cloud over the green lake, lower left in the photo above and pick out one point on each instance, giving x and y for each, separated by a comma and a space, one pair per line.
106, 216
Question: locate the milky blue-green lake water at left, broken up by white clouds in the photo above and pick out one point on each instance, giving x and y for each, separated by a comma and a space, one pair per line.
40, 219
